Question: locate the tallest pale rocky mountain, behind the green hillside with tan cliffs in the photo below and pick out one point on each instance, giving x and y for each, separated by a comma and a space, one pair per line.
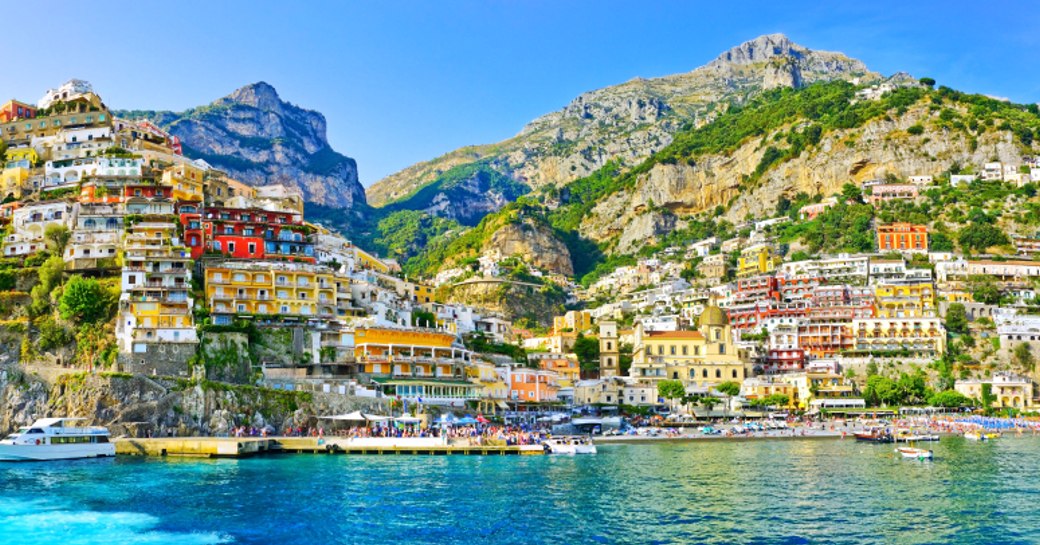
625, 123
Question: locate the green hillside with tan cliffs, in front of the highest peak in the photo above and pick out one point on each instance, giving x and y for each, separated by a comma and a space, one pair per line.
782, 147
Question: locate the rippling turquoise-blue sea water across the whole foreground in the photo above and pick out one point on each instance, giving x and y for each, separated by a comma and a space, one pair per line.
768, 492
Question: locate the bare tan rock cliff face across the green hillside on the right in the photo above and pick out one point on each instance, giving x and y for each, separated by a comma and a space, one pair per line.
630, 219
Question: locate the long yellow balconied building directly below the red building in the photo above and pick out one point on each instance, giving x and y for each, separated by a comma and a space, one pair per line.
288, 290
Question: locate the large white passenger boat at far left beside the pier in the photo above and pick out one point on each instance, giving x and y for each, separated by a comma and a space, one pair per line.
53, 439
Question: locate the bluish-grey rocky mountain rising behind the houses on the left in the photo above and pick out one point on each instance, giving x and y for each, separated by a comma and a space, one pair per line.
259, 139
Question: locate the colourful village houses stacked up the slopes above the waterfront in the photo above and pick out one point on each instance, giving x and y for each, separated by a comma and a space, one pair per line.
200, 257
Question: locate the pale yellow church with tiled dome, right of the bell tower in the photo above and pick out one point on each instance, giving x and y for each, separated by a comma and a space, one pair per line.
701, 359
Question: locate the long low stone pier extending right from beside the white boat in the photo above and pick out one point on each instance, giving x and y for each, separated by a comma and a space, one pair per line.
248, 447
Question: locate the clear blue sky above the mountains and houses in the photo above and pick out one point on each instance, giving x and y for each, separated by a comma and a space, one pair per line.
401, 82
